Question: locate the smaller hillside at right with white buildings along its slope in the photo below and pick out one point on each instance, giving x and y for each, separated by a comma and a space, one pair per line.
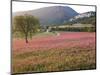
84, 18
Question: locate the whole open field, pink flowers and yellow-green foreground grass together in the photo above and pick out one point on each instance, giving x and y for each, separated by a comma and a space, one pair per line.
51, 52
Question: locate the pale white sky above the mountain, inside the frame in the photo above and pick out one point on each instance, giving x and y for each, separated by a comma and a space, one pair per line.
24, 6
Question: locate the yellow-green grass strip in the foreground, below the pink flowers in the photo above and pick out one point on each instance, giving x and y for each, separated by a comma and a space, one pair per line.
54, 60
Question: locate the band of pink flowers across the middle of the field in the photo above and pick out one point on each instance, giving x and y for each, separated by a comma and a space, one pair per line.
64, 40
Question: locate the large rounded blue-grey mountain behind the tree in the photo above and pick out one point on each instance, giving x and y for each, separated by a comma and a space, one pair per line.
51, 15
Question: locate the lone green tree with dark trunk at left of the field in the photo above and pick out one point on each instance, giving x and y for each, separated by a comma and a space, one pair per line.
26, 24
